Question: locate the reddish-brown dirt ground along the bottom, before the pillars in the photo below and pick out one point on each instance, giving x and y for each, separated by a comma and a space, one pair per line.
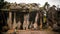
31, 32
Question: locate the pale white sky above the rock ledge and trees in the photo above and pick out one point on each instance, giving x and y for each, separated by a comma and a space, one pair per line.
41, 2
